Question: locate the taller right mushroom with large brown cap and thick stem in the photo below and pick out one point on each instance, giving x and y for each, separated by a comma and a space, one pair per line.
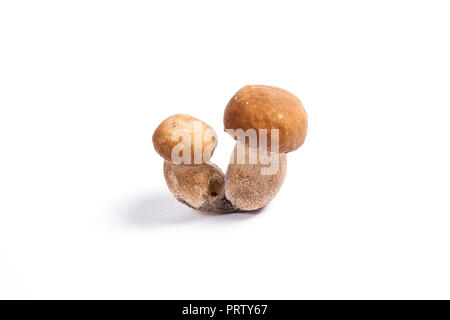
278, 119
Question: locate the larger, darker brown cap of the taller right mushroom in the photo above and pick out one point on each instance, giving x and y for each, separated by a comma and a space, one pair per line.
265, 107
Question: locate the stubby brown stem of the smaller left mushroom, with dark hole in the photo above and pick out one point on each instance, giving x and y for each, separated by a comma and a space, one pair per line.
199, 186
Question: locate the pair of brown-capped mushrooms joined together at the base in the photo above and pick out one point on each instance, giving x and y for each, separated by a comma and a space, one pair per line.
278, 122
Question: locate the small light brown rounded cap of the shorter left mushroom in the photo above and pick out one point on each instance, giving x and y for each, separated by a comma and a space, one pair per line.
185, 134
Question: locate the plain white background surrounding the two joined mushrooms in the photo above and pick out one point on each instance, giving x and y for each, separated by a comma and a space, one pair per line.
84, 210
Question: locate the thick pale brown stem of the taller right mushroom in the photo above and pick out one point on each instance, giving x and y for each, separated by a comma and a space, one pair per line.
246, 186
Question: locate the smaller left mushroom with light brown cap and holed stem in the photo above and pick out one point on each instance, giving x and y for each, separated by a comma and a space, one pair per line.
199, 184
